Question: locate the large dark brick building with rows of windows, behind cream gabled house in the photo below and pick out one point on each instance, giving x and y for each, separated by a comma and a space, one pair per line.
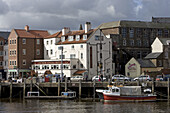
133, 39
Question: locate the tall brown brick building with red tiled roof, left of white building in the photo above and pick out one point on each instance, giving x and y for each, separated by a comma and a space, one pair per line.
24, 45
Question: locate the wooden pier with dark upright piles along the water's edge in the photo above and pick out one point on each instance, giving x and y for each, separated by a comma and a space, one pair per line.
84, 89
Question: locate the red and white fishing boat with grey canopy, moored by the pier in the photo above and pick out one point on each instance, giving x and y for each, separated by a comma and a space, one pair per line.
126, 94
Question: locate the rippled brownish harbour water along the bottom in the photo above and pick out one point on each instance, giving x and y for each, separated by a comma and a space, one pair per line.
80, 106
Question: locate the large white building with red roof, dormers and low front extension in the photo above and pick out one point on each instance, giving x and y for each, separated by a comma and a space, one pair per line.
84, 52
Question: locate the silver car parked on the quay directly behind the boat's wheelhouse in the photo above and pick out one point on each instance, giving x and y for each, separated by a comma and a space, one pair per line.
120, 77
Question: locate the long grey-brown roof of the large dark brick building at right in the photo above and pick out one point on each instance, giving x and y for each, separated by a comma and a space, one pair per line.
138, 24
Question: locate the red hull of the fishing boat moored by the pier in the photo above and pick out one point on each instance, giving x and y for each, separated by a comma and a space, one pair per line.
143, 98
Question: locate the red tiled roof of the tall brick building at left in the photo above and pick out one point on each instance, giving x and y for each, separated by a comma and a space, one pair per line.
31, 33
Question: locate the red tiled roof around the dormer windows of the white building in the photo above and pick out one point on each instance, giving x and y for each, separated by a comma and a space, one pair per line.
80, 32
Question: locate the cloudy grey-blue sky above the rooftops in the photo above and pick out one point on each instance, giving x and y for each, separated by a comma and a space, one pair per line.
53, 15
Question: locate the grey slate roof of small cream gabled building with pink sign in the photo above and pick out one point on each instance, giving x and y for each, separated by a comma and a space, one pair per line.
145, 63
